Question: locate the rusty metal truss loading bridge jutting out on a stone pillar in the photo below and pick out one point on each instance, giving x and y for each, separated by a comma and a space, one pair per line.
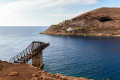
34, 48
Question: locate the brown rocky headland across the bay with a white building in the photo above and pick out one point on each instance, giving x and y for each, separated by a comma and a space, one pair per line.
98, 22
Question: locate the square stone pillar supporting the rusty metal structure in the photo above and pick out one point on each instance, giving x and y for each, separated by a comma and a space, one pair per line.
37, 60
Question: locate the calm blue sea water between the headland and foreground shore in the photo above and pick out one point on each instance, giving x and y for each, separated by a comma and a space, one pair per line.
91, 57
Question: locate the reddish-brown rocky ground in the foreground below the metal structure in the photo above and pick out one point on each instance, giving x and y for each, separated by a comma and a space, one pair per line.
10, 71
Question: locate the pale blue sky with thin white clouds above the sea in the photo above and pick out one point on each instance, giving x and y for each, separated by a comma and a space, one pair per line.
46, 12
